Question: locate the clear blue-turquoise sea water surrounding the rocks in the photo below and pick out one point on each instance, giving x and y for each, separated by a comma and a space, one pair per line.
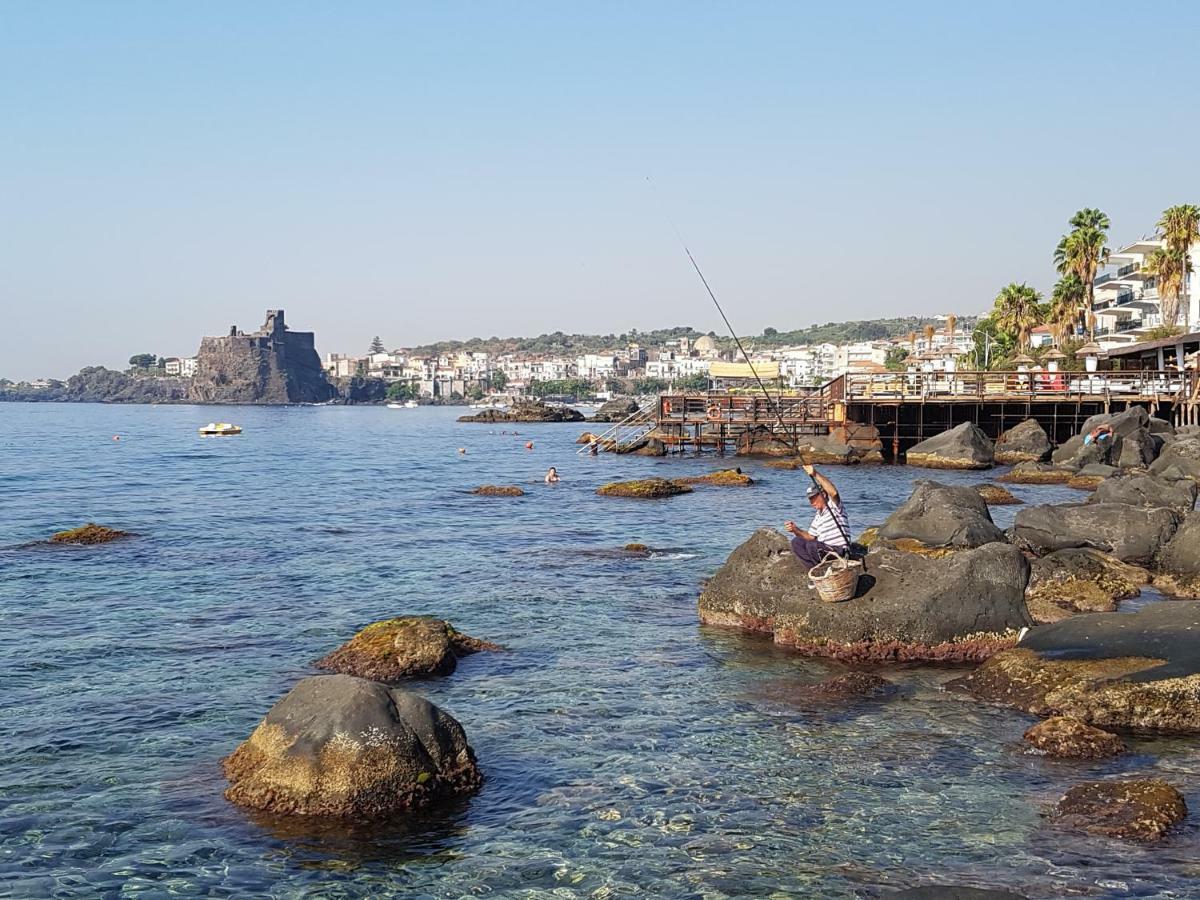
628, 751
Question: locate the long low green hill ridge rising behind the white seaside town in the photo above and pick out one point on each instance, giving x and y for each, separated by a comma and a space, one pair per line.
561, 343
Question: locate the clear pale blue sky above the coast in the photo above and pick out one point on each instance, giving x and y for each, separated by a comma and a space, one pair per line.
445, 171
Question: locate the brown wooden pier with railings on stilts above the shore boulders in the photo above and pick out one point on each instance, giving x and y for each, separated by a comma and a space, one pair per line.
909, 407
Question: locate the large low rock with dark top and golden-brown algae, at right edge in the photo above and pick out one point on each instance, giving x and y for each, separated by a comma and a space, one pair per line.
1131, 671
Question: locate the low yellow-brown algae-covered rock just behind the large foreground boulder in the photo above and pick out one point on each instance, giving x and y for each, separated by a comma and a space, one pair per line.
405, 647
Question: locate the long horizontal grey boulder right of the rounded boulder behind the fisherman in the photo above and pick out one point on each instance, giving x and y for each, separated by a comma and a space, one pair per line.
1133, 535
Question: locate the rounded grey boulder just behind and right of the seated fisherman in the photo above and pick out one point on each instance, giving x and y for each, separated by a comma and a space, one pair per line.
943, 517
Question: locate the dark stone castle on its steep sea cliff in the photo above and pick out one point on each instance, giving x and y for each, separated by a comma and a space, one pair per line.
273, 365
